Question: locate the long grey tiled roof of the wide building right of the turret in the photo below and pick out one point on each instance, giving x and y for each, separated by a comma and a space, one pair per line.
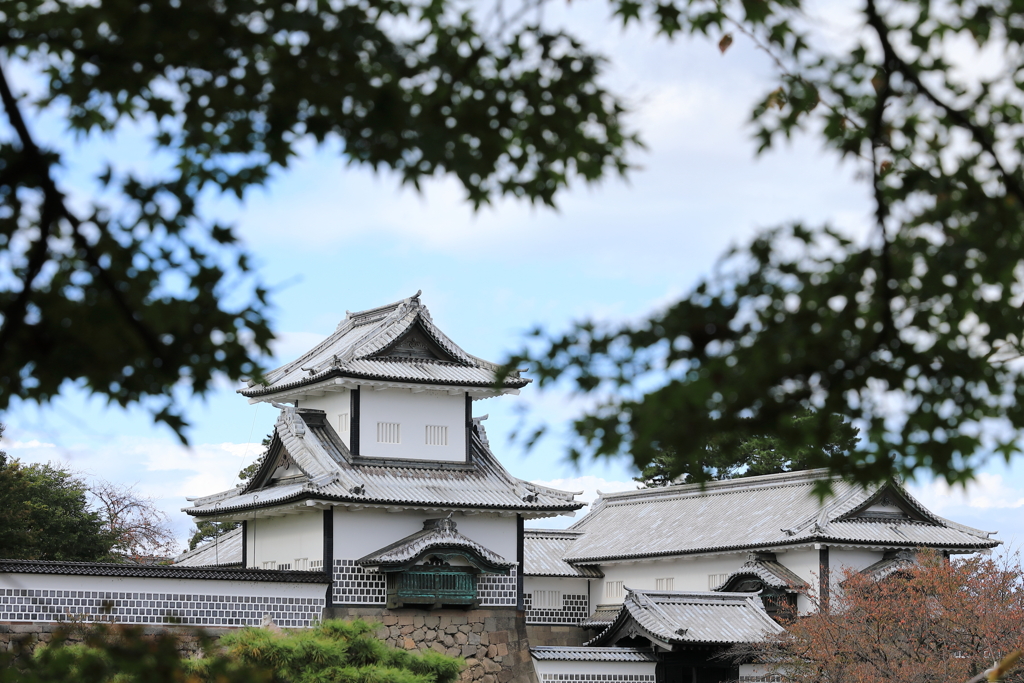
756, 514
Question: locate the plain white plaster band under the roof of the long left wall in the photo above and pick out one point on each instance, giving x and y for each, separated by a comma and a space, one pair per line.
138, 585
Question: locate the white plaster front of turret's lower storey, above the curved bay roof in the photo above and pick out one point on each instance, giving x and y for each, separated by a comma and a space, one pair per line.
359, 534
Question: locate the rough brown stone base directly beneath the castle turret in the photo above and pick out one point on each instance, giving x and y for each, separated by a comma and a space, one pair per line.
493, 642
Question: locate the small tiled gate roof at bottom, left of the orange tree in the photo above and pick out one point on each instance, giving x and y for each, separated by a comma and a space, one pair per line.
675, 620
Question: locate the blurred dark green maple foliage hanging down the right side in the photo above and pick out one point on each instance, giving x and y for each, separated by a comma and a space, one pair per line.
914, 332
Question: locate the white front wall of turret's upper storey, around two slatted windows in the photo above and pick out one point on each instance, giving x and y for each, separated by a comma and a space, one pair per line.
414, 412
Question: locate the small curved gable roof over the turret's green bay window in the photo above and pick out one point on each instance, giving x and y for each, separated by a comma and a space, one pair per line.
439, 537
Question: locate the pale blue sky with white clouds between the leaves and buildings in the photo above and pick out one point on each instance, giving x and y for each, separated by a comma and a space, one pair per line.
333, 238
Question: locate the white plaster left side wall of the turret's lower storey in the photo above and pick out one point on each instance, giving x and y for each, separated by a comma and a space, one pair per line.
285, 539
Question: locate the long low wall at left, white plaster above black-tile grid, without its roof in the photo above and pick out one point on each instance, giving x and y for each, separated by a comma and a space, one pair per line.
138, 601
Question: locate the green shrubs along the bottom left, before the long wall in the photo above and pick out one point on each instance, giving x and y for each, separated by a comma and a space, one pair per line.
335, 652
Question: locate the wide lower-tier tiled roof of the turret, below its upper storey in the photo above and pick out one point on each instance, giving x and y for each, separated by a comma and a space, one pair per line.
329, 474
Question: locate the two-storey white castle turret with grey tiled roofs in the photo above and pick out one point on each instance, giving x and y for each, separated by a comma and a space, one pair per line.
379, 473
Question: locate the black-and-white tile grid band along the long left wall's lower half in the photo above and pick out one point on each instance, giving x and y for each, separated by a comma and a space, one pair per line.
192, 610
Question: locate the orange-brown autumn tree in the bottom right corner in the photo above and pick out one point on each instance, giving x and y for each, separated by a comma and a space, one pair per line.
936, 622
